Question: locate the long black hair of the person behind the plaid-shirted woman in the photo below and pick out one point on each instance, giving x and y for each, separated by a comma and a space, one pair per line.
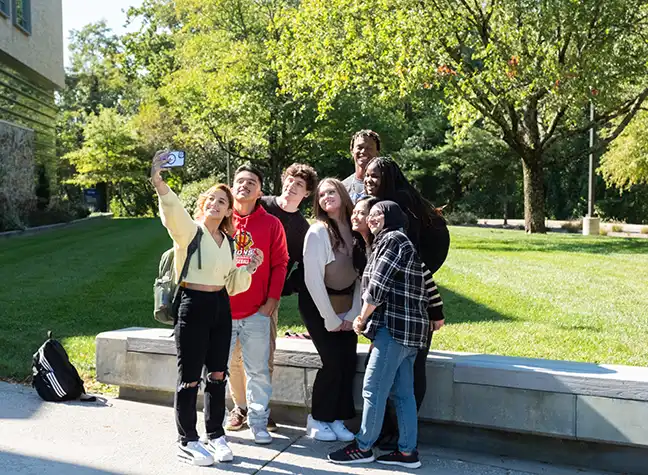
396, 187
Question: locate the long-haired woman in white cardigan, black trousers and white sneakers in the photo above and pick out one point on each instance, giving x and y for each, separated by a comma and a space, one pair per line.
331, 272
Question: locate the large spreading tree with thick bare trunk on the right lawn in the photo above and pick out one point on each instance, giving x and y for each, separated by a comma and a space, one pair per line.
529, 68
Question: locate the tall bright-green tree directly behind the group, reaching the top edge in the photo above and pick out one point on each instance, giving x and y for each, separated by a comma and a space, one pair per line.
226, 89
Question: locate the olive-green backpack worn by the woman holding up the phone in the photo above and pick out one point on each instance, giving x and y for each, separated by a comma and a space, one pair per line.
166, 287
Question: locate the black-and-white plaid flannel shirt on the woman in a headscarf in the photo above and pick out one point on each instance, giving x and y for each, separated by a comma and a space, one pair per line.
394, 282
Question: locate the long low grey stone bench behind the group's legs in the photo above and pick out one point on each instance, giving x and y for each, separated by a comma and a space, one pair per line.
580, 402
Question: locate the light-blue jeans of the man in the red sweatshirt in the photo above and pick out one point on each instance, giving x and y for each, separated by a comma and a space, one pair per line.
253, 334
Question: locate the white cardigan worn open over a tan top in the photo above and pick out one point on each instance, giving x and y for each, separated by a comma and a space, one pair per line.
317, 254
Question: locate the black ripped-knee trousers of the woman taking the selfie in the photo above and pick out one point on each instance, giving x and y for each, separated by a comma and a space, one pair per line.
203, 333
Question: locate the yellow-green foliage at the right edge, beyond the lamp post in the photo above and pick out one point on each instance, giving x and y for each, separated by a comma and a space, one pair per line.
626, 162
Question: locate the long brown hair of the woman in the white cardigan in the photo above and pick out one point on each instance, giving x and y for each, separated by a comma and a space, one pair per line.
358, 254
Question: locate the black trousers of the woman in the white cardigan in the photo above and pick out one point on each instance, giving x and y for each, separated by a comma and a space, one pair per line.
333, 386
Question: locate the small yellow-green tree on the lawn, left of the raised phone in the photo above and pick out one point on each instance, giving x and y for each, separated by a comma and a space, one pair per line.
110, 155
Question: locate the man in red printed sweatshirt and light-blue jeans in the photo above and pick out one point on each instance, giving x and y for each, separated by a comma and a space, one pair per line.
256, 232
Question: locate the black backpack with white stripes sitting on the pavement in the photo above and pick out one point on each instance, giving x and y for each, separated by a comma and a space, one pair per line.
54, 377
